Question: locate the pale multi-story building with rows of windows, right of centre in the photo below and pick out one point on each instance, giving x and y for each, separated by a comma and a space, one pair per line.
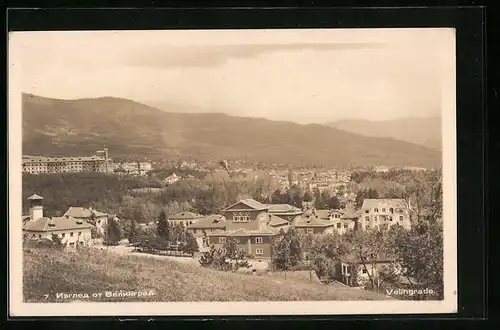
376, 212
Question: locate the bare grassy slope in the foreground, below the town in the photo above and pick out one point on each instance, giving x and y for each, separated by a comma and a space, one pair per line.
49, 272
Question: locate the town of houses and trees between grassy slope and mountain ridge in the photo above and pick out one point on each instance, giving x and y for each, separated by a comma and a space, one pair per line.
336, 223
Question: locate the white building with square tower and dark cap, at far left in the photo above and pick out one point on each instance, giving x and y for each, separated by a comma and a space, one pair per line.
72, 231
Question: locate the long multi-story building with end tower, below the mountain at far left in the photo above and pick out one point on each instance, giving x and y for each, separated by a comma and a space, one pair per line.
39, 164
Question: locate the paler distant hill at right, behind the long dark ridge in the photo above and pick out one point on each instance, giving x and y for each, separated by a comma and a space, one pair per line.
423, 131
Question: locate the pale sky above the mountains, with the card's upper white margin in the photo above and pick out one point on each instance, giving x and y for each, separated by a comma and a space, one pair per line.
305, 76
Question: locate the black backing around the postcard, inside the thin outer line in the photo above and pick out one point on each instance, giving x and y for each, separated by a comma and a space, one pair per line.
470, 37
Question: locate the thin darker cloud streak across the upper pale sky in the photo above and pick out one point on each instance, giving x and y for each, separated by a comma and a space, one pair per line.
212, 55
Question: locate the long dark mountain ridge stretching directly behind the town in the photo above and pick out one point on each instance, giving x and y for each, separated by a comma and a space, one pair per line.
54, 127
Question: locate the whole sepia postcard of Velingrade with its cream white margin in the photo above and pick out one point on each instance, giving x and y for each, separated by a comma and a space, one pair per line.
232, 172
